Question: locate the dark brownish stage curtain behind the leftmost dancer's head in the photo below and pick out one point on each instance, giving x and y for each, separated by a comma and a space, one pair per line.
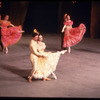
16, 10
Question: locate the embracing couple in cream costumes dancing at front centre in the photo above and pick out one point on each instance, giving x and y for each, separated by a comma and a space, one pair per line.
43, 63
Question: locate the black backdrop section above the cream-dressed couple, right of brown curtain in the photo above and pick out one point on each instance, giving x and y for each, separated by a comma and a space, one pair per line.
42, 15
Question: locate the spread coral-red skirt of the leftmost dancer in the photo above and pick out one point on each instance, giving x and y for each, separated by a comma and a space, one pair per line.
11, 35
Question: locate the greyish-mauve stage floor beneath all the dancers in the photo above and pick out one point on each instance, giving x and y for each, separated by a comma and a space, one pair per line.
78, 73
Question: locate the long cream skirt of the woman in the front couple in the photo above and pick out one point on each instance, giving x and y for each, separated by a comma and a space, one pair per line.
45, 66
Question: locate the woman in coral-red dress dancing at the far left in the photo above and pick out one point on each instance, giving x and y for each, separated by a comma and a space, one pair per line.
9, 35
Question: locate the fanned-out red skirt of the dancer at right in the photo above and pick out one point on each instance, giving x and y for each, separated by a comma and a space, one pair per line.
74, 35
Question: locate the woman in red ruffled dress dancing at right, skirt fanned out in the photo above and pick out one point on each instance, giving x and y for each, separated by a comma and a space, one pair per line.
72, 36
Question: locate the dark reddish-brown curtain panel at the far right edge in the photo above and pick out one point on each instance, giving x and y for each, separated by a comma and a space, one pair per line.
95, 20
